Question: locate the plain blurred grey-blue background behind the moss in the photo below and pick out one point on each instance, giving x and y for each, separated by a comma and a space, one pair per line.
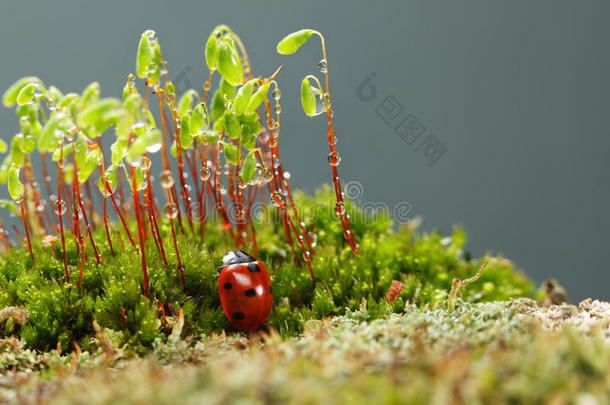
517, 91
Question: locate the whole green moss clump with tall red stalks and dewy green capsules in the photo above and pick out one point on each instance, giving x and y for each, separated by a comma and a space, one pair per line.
232, 192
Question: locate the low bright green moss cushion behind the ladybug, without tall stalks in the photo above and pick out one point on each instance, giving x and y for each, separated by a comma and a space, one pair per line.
426, 264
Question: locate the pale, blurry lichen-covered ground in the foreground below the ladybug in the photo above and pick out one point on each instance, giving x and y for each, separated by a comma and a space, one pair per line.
486, 353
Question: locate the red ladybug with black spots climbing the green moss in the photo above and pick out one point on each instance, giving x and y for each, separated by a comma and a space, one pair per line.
245, 290
